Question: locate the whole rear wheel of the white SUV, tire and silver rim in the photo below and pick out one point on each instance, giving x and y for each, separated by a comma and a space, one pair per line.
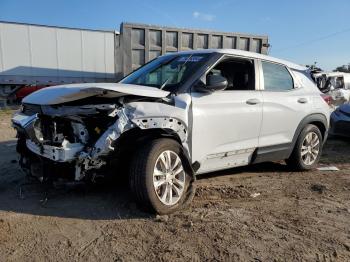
307, 150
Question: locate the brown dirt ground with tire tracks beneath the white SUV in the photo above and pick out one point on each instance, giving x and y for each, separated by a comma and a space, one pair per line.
296, 217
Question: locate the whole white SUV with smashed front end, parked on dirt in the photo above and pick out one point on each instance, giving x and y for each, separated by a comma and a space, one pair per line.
179, 115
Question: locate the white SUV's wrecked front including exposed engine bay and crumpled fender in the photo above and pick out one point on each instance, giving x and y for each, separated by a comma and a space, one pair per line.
81, 139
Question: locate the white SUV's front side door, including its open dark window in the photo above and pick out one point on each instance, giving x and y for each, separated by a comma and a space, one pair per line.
226, 124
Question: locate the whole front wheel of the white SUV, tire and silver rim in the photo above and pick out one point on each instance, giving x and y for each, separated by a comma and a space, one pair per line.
158, 178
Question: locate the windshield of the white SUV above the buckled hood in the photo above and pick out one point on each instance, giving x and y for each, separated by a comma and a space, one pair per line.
167, 72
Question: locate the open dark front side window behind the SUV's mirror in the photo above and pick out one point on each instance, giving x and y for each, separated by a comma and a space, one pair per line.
239, 72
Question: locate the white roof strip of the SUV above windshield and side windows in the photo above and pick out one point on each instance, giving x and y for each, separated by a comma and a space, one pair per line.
250, 55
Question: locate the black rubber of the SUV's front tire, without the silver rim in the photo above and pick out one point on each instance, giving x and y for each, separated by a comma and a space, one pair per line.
141, 177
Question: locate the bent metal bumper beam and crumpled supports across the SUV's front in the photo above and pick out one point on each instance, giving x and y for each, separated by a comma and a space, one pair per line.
82, 156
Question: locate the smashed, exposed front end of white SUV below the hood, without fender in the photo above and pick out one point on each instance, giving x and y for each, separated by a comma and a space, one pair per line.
75, 137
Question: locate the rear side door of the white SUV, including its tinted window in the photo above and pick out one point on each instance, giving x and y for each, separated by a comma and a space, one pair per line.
285, 104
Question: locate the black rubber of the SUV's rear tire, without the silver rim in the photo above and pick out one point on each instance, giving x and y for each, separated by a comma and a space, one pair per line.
295, 161
